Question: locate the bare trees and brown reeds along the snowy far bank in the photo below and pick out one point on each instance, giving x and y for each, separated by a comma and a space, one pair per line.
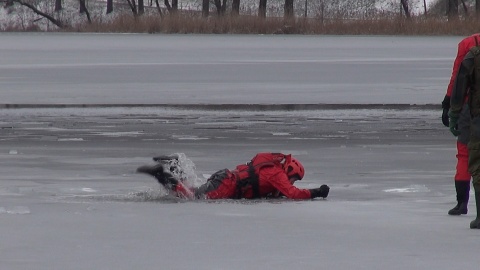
236, 16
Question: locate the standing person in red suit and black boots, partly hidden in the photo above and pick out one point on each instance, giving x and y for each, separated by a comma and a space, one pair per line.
462, 176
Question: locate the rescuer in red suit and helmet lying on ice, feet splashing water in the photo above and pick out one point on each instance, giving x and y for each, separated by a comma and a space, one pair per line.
266, 175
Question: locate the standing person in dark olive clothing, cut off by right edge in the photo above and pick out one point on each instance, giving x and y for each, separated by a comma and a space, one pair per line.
467, 84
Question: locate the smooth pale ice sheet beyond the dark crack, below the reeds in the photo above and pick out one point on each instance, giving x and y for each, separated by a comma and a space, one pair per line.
218, 69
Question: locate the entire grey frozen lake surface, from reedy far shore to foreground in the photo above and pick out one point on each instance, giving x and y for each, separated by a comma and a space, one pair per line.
69, 197
